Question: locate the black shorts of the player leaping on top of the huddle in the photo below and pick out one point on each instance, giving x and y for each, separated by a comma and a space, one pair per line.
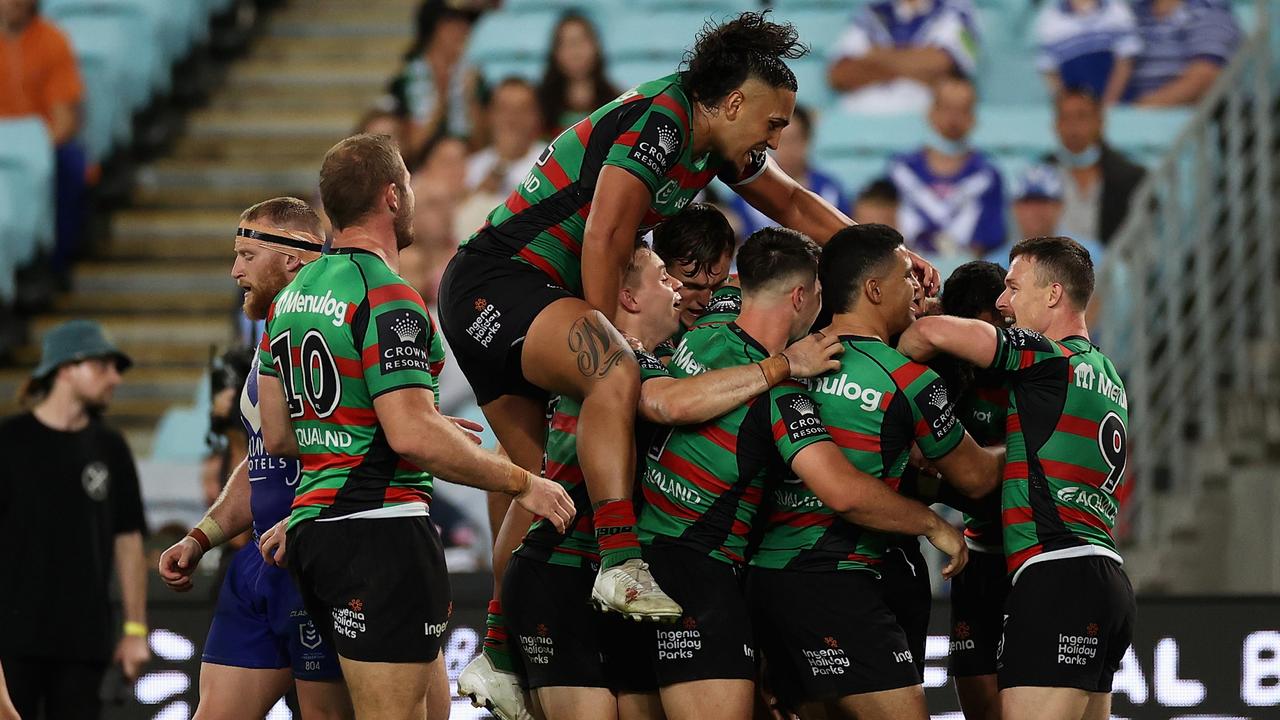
487, 307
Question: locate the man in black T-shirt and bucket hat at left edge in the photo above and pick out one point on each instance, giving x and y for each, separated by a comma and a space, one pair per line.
70, 509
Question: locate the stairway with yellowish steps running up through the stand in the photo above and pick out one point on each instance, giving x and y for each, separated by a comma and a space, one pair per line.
162, 284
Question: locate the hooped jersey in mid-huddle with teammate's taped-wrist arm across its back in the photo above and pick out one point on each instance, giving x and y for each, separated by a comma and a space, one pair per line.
703, 485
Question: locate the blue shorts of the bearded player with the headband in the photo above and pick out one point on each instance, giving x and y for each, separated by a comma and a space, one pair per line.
260, 623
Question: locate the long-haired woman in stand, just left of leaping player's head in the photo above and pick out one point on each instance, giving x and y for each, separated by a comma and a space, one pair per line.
575, 83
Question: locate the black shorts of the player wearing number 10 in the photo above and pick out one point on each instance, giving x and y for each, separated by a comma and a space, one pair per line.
376, 589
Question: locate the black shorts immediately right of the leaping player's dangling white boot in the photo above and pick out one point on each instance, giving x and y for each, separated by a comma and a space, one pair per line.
712, 641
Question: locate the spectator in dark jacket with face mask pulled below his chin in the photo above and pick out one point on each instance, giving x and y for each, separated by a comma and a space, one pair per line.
1098, 180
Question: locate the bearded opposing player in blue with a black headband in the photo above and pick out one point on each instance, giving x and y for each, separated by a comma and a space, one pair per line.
262, 640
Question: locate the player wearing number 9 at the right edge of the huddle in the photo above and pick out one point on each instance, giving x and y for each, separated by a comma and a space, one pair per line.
1067, 429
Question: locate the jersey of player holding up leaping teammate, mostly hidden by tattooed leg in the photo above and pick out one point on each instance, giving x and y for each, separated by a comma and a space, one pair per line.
578, 546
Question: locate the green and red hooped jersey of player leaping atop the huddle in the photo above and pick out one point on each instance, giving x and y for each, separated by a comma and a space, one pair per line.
646, 131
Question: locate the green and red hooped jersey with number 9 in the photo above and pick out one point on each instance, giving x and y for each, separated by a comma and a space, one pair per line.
1067, 448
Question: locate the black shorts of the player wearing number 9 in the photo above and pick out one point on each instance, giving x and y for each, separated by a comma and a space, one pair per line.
1068, 625
